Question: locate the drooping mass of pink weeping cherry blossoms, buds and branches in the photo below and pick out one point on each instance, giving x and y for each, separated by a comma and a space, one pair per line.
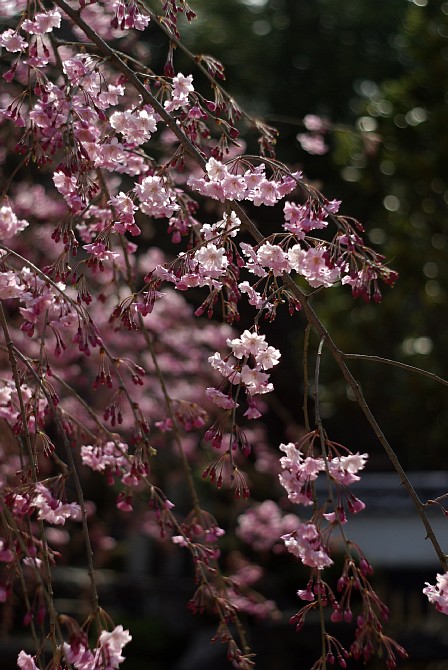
125, 191
